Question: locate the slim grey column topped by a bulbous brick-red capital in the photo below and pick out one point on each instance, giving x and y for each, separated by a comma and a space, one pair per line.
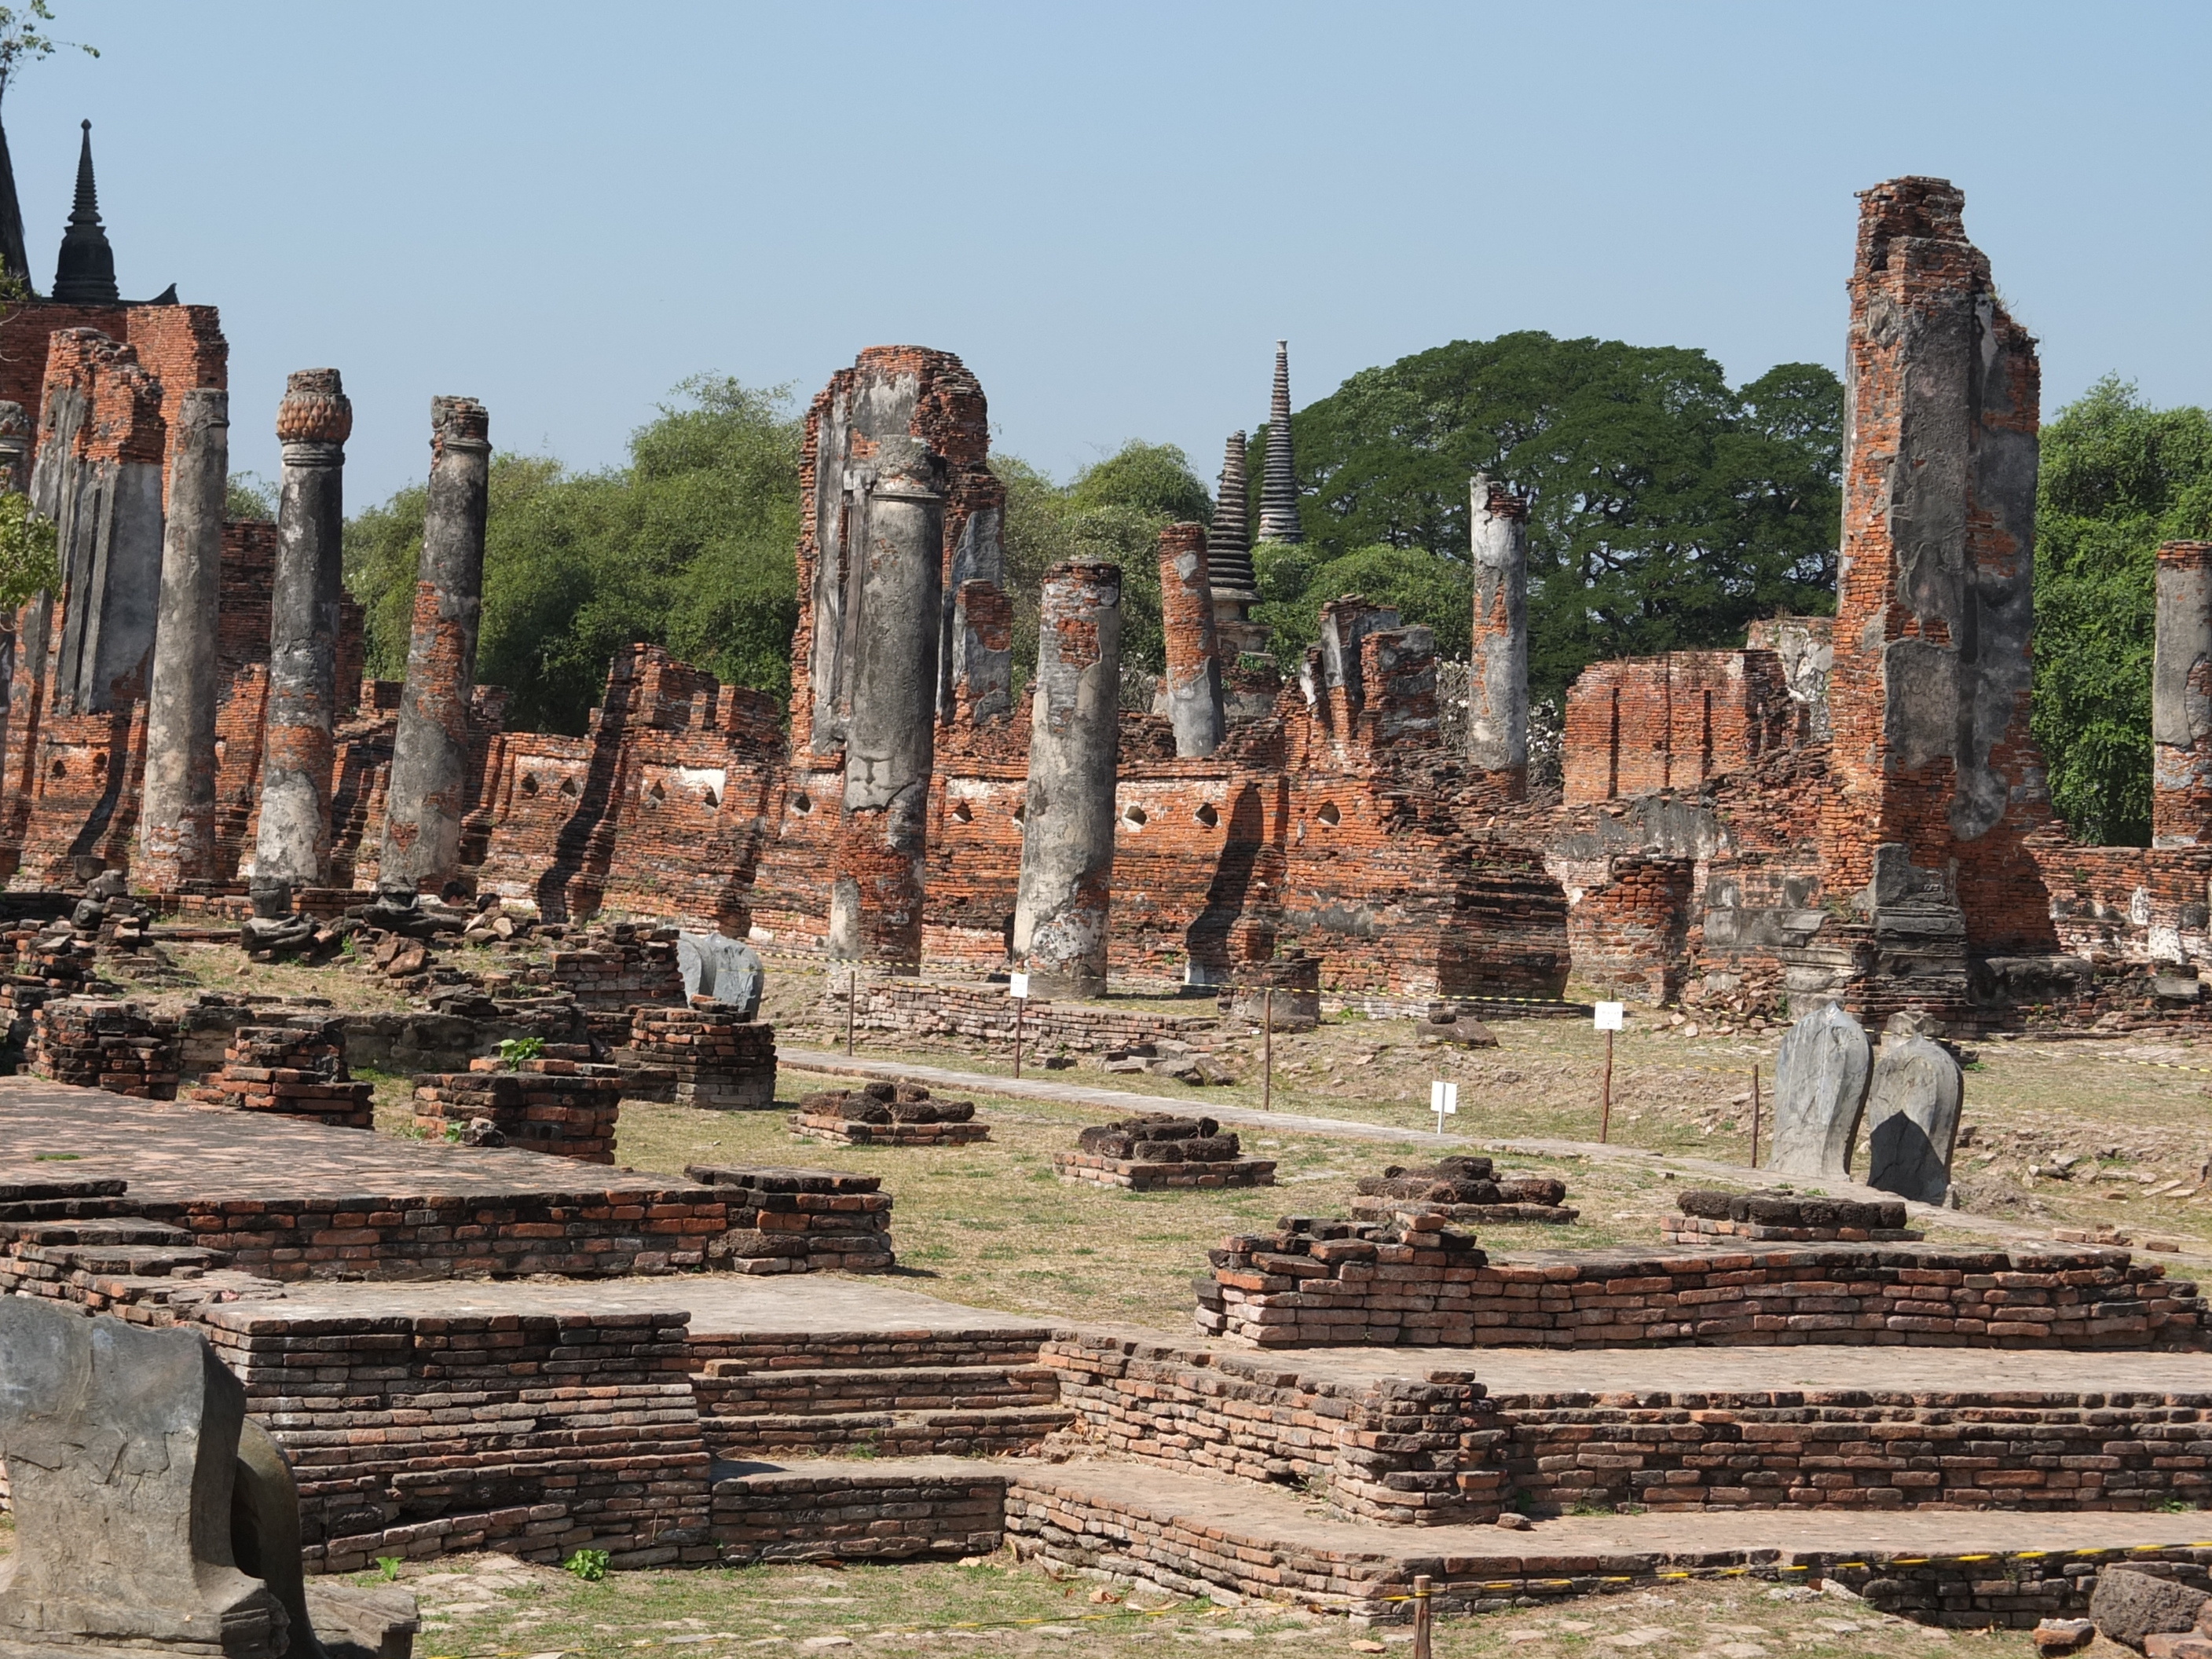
293, 846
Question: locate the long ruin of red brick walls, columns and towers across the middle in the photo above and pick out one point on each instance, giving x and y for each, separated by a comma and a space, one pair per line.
1841, 808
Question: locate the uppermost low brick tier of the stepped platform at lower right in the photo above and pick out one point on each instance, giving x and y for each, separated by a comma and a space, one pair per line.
1288, 1291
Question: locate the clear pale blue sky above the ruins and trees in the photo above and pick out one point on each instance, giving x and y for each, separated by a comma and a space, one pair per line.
1112, 211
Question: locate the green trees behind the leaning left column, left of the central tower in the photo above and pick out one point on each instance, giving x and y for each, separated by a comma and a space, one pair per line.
689, 547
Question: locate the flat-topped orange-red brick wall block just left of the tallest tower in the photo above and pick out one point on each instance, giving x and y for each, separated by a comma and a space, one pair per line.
1676, 722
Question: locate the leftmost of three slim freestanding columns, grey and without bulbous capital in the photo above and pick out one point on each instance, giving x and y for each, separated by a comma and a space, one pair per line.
178, 802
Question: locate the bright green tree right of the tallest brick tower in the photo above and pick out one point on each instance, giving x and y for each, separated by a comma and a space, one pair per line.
2118, 479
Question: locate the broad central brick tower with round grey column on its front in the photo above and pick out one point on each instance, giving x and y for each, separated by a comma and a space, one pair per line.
901, 629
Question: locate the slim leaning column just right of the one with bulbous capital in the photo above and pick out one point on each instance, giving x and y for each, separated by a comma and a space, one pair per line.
430, 753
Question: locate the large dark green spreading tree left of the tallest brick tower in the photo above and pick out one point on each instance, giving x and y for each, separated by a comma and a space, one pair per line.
1667, 508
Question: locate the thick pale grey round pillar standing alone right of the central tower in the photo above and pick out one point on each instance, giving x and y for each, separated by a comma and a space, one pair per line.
1070, 811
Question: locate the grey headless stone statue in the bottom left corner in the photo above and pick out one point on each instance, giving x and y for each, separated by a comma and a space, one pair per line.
138, 1488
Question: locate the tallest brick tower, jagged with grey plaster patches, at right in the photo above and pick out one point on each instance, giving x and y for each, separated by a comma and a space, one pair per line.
1934, 614
